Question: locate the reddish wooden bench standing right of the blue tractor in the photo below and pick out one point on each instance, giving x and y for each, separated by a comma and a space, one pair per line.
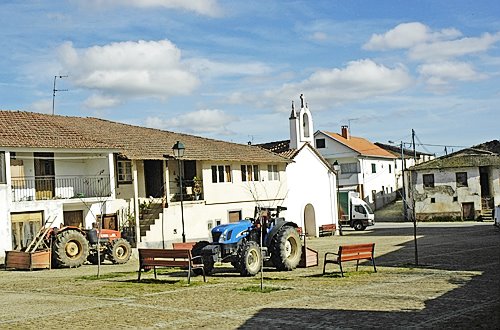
350, 253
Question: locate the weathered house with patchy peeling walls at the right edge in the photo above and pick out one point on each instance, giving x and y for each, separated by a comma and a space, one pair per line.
464, 185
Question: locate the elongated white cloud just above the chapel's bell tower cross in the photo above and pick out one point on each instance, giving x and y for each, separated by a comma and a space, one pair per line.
358, 80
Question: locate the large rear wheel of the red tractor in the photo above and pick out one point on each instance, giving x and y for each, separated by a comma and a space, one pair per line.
70, 249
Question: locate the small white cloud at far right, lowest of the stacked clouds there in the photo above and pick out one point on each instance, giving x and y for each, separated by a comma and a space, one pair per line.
440, 73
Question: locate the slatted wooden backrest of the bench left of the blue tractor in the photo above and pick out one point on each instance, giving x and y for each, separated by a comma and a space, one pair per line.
165, 257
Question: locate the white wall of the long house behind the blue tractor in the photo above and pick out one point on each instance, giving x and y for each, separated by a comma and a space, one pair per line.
219, 199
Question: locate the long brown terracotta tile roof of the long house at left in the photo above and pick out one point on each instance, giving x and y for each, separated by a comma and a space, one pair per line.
26, 129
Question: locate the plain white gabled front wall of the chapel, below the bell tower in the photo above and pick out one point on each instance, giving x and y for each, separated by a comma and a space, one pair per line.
310, 182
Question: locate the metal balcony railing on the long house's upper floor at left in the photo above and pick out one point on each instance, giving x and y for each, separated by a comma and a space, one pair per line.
59, 187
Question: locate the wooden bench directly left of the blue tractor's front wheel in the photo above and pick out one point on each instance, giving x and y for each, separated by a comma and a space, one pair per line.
152, 258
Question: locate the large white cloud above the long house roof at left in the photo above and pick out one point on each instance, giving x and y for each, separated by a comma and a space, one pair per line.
128, 69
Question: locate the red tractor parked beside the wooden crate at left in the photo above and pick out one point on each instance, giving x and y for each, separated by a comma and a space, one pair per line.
72, 246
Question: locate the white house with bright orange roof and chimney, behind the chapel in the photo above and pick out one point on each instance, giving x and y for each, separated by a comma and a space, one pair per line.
364, 167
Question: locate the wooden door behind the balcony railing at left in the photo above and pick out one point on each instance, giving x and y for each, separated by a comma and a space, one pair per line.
44, 175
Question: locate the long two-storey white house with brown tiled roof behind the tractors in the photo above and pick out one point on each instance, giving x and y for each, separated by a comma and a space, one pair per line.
72, 169
